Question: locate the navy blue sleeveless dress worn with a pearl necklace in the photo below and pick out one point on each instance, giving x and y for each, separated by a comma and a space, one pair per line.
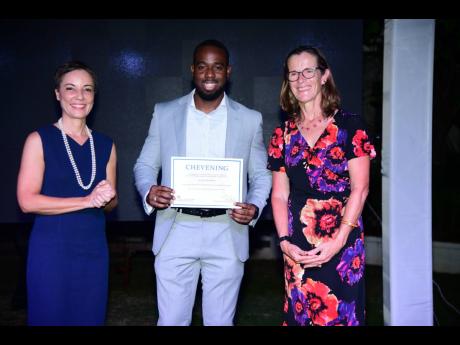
67, 266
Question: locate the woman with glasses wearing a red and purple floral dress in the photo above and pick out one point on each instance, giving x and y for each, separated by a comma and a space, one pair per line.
320, 158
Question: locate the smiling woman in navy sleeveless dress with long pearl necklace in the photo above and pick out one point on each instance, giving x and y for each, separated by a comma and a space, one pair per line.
67, 178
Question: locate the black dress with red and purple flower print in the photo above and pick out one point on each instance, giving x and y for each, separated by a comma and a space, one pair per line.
319, 189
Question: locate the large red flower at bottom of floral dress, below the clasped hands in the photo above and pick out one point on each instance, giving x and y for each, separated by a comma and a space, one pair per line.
321, 305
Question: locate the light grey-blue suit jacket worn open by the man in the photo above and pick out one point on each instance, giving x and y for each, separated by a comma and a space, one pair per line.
167, 137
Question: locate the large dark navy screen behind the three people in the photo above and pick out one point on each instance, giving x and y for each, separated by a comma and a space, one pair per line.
142, 62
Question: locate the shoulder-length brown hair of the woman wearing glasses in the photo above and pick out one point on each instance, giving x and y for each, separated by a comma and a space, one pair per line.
330, 95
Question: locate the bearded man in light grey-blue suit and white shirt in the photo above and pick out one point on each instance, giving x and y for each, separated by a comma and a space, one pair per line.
192, 241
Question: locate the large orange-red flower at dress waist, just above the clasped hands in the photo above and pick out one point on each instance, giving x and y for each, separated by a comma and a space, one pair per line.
322, 219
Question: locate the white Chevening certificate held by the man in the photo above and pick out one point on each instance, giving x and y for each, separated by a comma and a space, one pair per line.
206, 182
